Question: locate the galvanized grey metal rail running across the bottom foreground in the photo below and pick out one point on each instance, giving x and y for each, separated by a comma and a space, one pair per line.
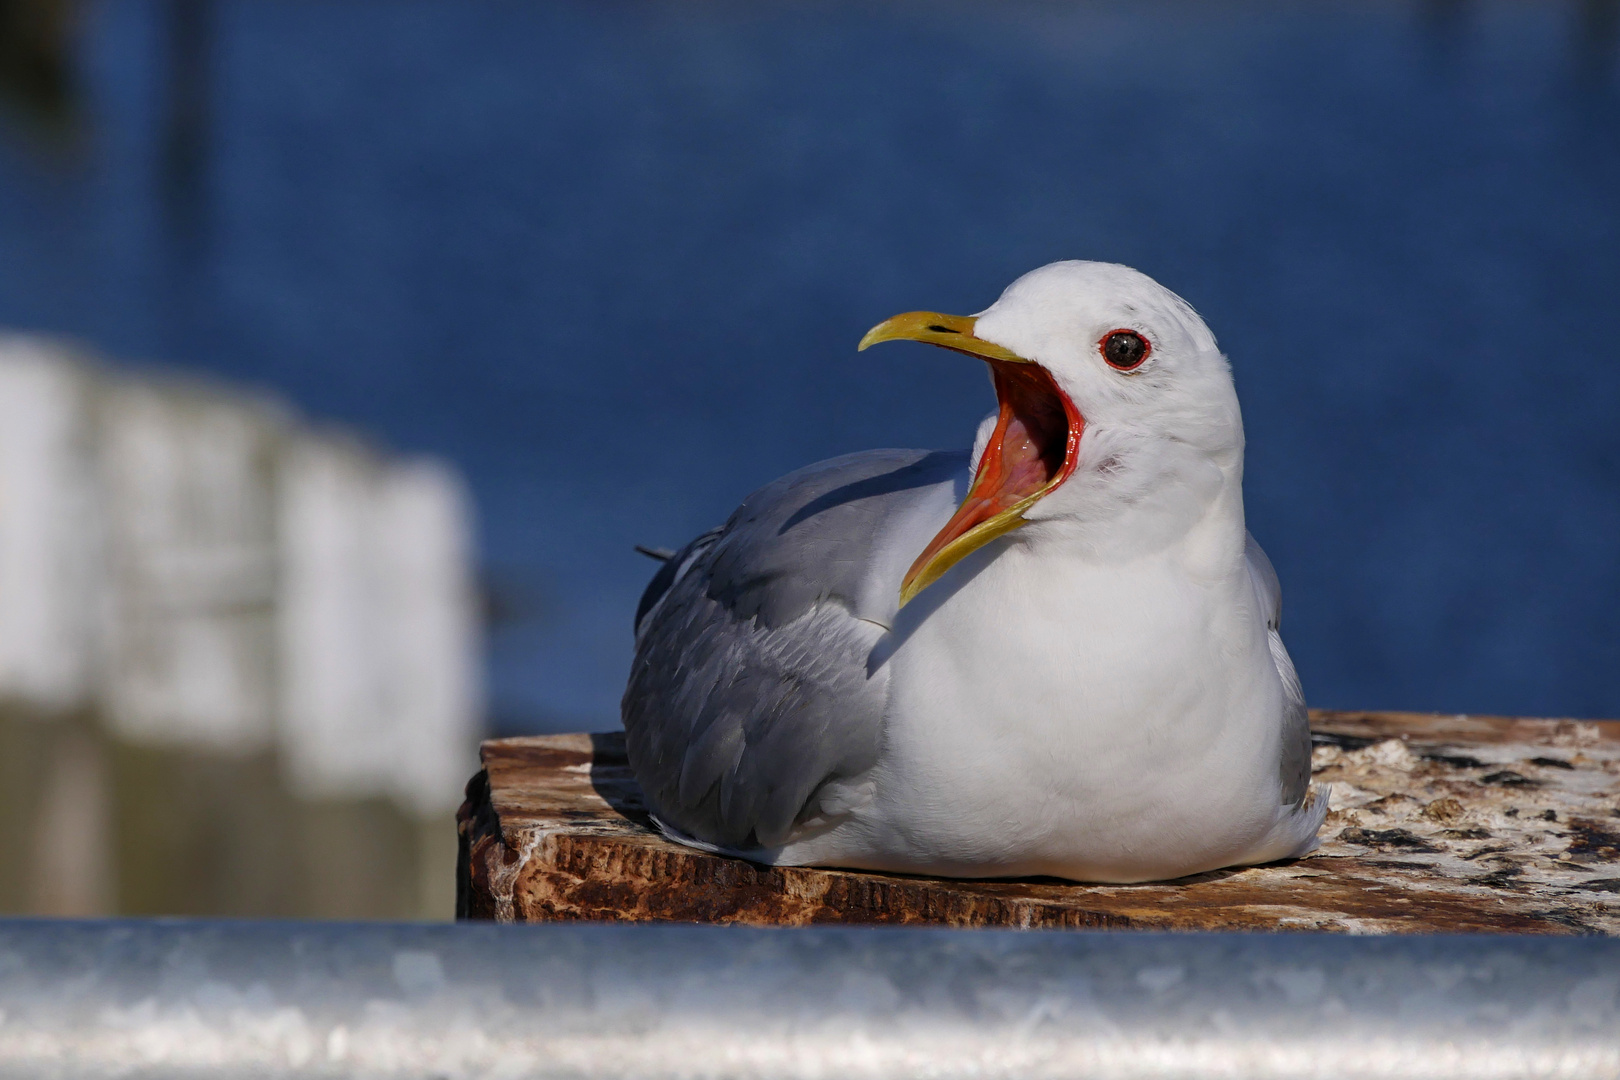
310, 1000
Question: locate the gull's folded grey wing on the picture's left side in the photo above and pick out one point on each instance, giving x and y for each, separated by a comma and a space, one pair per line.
749, 699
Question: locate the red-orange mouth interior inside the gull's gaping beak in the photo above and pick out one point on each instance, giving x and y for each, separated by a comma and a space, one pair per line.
1031, 451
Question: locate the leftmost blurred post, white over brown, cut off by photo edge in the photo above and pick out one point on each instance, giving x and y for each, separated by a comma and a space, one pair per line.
54, 840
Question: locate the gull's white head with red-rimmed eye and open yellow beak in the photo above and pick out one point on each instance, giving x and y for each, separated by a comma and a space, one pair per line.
1117, 417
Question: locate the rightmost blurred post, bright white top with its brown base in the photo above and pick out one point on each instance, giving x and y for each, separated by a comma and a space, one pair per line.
380, 673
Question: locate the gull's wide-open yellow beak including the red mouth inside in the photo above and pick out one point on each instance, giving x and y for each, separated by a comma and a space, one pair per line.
1034, 448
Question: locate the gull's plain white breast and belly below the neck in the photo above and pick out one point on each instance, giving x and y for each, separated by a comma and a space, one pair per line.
1106, 723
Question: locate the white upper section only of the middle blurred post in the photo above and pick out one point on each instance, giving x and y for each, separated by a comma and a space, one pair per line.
190, 516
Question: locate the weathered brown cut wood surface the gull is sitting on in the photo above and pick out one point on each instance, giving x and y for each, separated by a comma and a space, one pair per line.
1439, 823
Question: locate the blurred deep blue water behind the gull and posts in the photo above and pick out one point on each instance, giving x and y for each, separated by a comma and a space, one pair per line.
613, 258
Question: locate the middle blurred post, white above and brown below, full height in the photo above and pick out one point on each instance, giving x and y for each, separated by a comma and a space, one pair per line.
189, 694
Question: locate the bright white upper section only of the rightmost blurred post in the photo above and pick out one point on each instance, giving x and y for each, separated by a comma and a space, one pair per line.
377, 627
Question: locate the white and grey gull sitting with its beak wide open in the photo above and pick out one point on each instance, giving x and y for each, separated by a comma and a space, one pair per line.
1054, 655
